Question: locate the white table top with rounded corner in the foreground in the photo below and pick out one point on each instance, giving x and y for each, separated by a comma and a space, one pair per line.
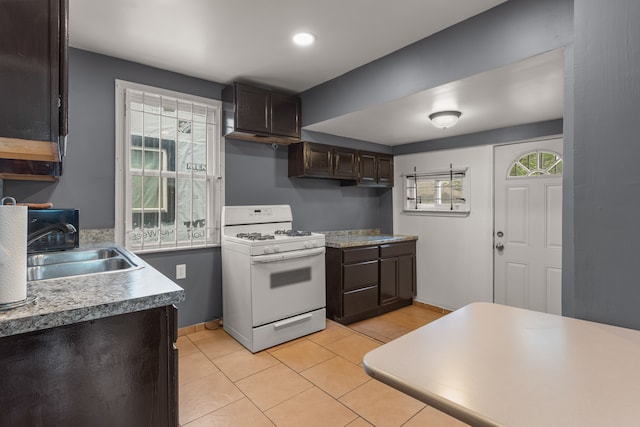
492, 365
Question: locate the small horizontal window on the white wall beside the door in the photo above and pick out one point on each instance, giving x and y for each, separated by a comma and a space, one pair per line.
437, 191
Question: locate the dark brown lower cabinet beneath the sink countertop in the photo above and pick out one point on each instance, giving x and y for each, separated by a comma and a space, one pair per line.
115, 371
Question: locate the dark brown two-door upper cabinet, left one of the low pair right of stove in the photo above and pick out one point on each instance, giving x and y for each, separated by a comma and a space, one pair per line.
312, 160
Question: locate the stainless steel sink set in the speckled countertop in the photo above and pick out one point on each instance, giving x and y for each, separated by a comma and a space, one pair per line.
57, 265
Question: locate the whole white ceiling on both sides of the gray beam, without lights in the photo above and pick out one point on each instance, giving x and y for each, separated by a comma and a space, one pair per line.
250, 40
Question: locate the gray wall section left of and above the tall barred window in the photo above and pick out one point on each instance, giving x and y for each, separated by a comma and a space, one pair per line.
89, 168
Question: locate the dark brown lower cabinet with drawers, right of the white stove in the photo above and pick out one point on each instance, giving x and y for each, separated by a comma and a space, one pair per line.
367, 281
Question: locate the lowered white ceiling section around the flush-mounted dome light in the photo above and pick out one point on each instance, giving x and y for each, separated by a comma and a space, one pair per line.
525, 92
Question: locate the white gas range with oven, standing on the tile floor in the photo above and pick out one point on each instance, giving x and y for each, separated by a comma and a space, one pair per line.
273, 277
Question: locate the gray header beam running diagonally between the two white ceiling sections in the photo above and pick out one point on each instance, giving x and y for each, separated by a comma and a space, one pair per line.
508, 33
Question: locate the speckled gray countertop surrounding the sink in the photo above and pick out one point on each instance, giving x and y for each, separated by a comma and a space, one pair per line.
81, 298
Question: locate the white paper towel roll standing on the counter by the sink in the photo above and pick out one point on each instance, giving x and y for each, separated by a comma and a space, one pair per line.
13, 253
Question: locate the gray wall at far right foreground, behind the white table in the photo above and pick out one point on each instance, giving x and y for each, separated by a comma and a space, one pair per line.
606, 153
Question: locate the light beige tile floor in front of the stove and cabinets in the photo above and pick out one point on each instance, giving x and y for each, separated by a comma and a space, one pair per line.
315, 380
